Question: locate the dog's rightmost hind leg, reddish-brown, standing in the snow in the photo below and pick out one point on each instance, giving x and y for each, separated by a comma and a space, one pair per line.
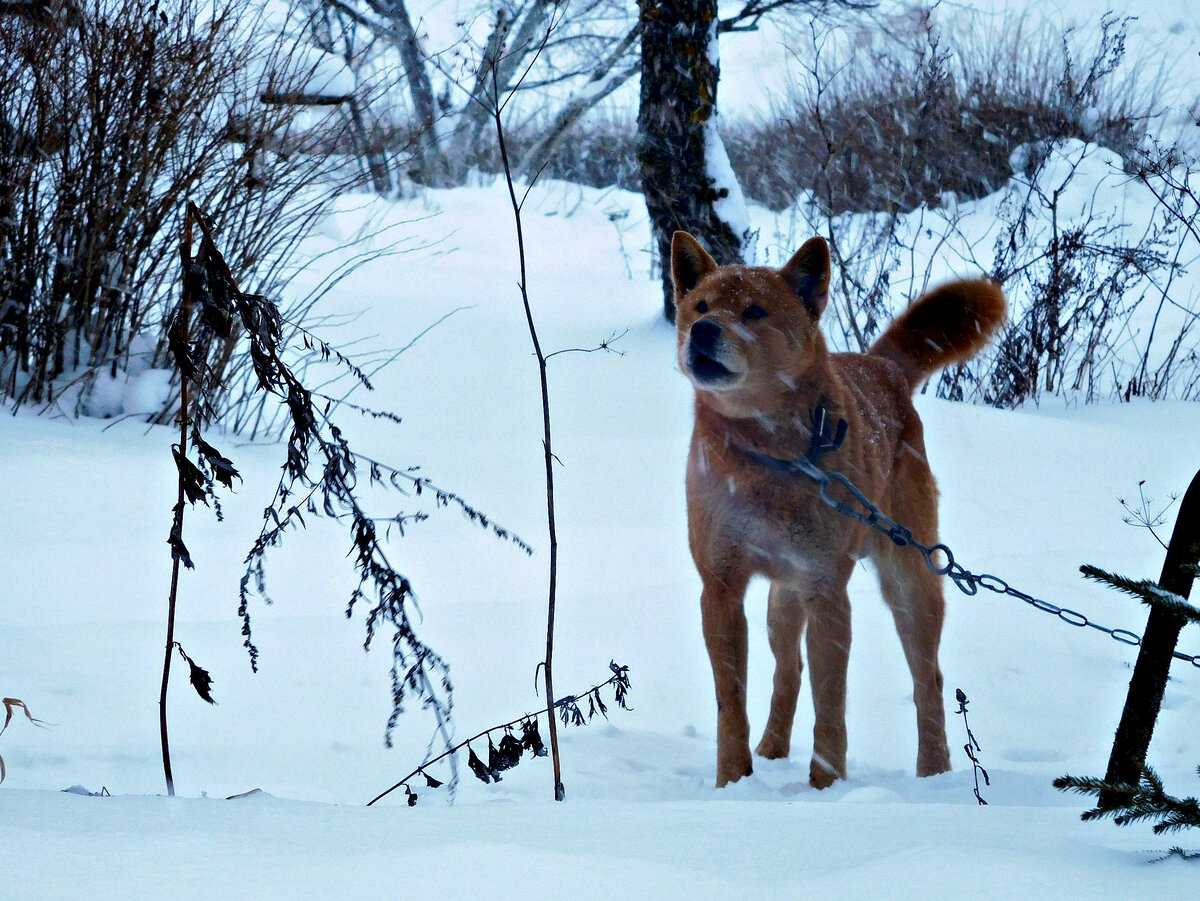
915, 596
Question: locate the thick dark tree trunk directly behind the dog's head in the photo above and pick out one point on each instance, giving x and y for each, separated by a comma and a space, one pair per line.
677, 131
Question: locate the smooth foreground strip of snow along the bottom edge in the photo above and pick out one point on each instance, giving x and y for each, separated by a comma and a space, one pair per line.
269, 849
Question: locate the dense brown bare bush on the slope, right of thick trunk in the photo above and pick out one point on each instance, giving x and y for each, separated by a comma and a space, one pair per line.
881, 122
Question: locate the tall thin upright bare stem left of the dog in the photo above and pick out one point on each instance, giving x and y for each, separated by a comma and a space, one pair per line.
560, 791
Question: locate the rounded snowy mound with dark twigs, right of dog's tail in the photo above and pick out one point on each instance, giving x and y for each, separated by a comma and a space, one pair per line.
1096, 266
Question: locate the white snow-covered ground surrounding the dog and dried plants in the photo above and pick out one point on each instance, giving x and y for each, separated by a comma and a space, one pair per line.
85, 570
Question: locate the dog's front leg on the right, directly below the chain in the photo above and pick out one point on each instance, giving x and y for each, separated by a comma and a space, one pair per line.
829, 648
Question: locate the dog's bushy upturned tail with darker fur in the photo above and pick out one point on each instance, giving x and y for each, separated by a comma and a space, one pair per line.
947, 326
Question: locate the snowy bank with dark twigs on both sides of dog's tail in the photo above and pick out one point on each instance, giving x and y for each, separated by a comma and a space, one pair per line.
1096, 263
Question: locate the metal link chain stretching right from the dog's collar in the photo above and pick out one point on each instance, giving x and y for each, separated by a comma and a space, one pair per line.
967, 581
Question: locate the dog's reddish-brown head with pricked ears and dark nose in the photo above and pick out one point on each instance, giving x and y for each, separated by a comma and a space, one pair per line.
747, 334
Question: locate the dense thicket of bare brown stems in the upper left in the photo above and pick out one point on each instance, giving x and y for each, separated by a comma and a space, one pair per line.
112, 116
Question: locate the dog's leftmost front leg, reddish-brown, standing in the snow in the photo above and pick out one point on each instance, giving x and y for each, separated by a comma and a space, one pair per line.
725, 634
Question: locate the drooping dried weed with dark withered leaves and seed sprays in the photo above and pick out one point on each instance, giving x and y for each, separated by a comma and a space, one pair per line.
223, 315
